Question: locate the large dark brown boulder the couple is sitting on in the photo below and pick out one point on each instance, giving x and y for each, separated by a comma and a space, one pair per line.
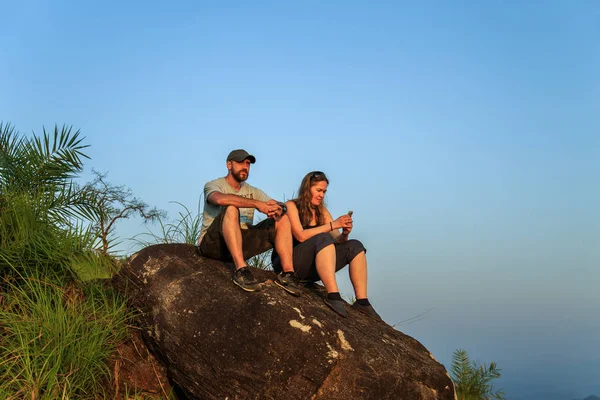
219, 342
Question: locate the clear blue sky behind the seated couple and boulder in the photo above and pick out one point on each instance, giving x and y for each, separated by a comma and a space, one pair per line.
464, 135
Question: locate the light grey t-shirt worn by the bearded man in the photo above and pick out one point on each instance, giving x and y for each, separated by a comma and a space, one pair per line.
211, 211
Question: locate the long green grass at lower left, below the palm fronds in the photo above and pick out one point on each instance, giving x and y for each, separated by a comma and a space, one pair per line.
55, 340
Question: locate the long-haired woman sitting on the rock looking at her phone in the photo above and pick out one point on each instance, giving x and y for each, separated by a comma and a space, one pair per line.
320, 250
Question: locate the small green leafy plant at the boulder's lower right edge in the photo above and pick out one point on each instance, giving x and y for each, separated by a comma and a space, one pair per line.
472, 381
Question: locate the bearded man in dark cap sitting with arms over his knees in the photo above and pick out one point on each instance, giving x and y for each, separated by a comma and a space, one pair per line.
228, 233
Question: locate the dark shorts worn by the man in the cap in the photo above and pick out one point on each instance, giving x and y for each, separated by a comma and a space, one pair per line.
255, 240
